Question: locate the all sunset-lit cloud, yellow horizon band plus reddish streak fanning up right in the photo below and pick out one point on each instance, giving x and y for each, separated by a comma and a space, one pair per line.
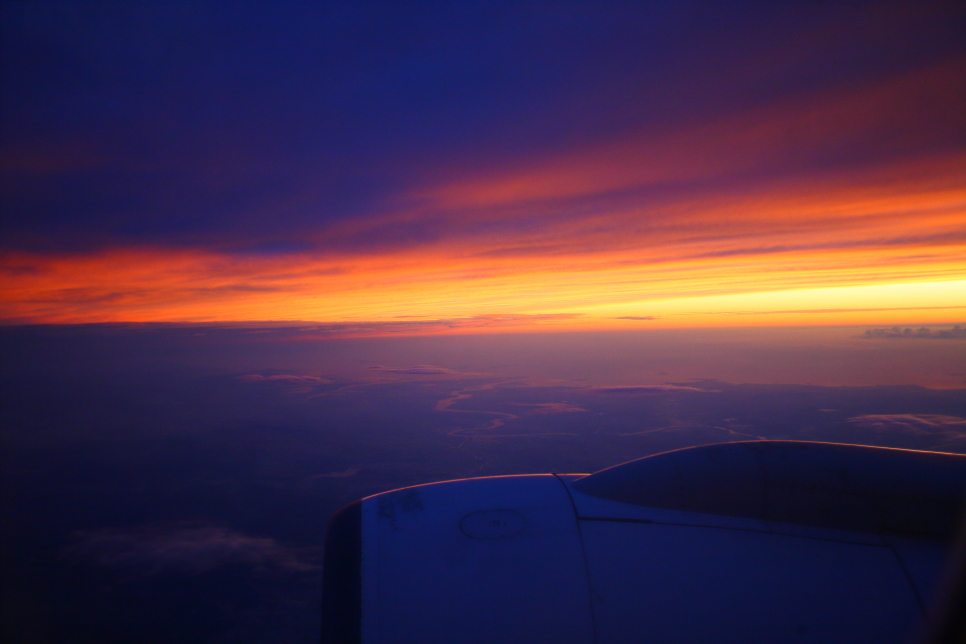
780, 200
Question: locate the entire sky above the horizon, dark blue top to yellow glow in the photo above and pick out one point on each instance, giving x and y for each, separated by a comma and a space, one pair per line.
430, 168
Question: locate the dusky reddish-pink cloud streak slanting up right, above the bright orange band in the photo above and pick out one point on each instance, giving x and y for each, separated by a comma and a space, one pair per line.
917, 110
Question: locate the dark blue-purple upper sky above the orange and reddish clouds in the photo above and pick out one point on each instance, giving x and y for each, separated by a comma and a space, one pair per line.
252, 124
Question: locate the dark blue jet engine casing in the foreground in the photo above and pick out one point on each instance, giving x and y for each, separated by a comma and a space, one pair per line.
765, 541
